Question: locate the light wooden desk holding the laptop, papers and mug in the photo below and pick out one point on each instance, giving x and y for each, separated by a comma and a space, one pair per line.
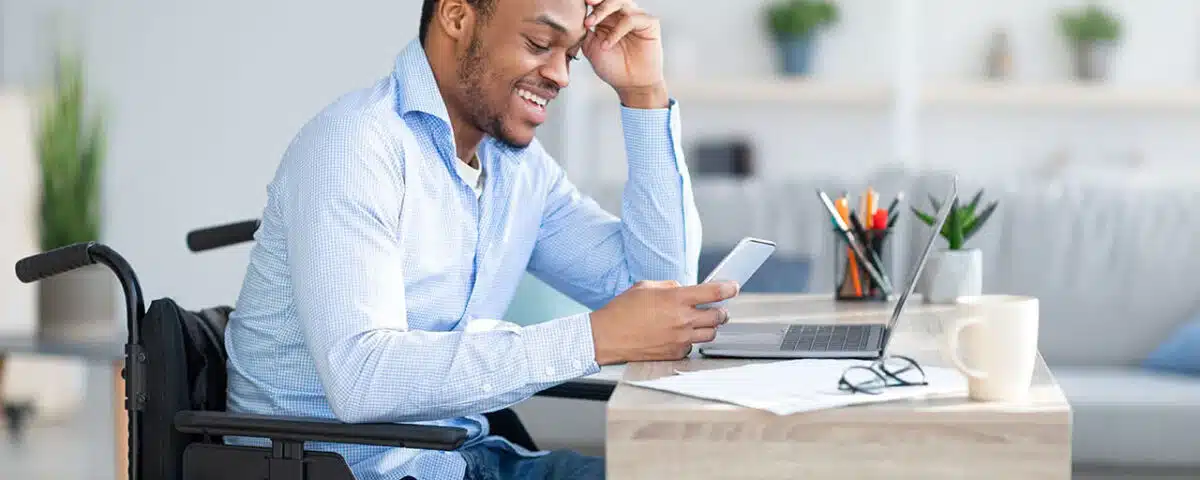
655, 435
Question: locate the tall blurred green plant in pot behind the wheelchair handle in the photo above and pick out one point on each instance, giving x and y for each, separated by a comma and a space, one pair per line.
77, 305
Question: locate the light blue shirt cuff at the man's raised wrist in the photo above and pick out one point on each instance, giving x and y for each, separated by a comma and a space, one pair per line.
652, 139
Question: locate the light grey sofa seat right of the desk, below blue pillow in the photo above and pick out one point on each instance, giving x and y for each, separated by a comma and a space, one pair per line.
1132, 416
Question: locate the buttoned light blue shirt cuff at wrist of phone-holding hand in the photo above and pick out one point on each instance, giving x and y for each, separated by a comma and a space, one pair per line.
562, 350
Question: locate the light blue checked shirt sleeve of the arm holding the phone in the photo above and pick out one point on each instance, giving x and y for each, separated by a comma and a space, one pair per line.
341, 203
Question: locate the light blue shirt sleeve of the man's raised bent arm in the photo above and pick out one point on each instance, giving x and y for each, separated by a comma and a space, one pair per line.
591, 255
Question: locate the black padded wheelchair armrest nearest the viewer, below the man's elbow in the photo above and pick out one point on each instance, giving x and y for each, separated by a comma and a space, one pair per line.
317, 430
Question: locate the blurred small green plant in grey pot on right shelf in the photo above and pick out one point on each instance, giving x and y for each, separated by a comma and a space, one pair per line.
1091, 33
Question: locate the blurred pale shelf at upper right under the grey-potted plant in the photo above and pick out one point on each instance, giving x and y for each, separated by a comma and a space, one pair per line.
1061, 97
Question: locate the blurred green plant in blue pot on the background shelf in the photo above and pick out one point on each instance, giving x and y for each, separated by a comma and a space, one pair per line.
795, 25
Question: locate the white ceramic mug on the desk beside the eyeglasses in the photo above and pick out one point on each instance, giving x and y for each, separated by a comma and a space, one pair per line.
994, 341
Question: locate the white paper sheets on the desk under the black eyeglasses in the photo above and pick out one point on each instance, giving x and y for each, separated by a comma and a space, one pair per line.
796, 386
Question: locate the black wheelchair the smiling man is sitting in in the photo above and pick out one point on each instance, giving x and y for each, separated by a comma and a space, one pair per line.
176, 389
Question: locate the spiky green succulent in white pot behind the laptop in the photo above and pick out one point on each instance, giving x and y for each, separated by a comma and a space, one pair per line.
957, 271
